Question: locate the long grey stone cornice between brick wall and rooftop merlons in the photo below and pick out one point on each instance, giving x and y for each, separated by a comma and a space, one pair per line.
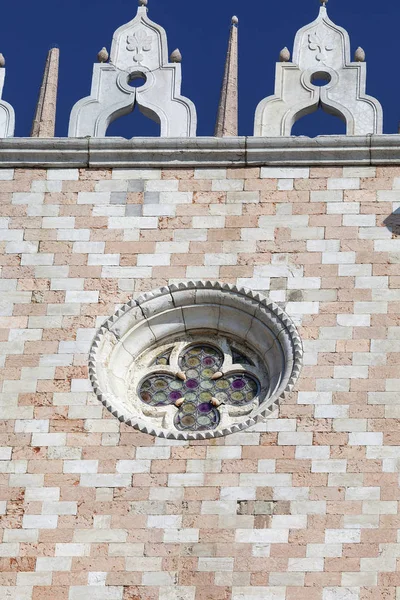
207, 152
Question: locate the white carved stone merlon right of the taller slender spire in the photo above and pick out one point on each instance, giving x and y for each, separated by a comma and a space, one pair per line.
321, 51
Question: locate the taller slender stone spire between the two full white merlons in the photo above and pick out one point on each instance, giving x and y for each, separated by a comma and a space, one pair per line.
227, 117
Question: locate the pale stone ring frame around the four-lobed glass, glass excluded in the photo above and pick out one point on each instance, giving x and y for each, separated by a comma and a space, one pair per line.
194, 309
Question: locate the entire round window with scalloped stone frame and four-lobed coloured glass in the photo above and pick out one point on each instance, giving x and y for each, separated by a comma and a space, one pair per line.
195, 361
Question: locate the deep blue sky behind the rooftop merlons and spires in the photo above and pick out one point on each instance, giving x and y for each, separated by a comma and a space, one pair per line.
200, 29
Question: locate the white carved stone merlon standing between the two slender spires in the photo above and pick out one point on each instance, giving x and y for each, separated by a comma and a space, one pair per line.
139, 51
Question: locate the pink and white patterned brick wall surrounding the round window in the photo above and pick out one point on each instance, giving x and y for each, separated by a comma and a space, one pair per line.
302, 507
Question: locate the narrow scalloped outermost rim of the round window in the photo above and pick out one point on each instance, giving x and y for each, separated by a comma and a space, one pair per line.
154, 303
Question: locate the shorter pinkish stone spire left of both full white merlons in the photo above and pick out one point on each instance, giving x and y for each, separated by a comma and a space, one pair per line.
44, 122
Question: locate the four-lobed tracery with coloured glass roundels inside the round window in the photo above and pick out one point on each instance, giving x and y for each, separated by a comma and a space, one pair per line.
201, 385
